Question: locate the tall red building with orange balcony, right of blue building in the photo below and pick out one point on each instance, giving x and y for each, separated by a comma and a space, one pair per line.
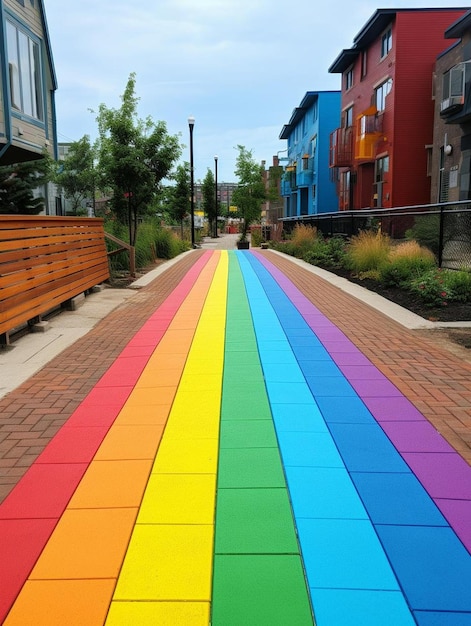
381, 153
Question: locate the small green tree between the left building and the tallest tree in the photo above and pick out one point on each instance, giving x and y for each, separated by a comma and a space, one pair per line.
76, 175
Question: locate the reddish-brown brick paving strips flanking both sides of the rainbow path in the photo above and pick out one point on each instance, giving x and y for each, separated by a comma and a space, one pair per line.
435, 380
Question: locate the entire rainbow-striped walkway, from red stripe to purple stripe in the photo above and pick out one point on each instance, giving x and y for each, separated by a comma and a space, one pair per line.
241, 463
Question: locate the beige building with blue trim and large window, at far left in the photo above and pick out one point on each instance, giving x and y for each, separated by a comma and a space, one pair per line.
27, 108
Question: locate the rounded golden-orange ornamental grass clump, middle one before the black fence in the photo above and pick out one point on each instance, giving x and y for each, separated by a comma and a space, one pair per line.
367, 251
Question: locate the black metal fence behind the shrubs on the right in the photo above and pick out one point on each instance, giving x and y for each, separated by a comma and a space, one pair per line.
444, 228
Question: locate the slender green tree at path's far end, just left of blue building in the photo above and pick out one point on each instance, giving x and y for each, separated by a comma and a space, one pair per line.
250, 192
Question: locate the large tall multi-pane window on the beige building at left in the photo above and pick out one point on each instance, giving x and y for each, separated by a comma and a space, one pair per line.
24, 72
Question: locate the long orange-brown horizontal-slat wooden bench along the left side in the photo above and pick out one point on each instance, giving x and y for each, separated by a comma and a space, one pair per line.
44, 263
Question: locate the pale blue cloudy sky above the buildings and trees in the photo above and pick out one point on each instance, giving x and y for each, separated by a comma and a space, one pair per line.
239, 67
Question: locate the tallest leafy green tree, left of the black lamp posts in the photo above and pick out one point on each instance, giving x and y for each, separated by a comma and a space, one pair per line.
135, 155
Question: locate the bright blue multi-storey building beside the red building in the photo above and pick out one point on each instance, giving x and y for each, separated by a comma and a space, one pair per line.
307, 187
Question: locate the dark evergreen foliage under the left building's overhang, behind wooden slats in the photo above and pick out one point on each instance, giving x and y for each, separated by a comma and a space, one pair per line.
19, 185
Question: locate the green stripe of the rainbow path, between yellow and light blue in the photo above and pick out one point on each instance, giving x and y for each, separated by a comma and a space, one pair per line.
258, 575
